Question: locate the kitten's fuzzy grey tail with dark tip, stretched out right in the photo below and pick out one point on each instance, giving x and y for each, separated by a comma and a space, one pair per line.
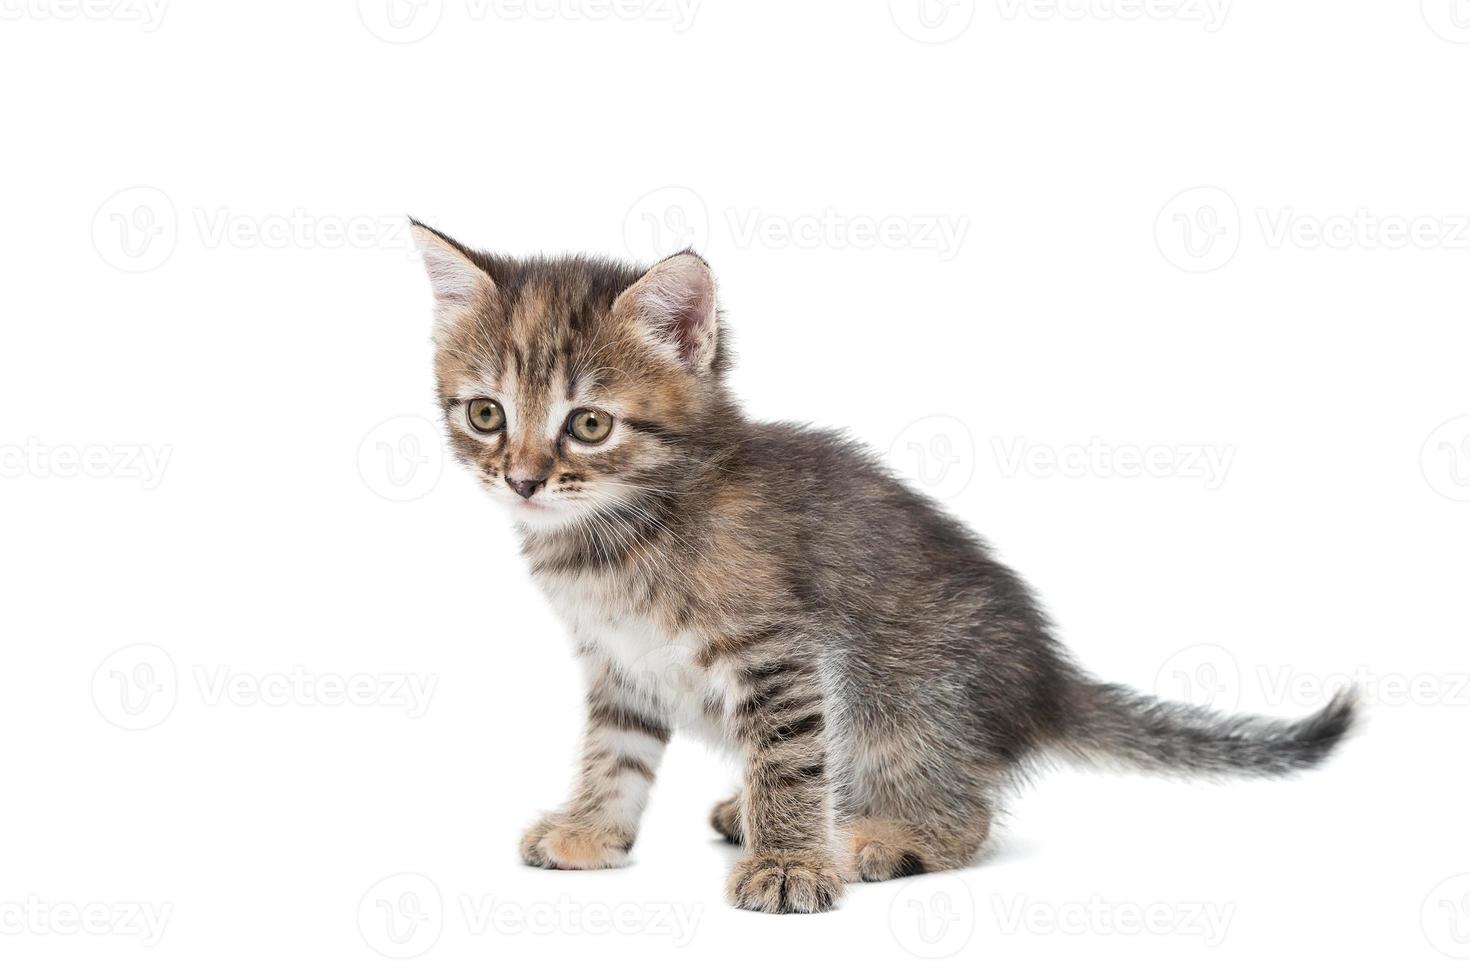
1115, 724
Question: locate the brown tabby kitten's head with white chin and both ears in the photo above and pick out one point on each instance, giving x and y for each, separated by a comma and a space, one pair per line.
574, 386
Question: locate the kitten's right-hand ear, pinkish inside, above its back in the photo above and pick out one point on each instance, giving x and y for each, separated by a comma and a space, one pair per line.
674, 306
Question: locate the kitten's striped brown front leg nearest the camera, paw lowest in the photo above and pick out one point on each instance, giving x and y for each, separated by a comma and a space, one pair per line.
787, 819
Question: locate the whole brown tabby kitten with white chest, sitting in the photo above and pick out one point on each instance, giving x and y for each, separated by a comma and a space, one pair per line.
772, 588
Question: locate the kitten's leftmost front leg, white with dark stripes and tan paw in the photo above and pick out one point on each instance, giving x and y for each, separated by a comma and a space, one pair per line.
621, 752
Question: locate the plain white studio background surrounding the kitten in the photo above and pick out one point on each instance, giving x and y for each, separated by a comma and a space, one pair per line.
254, 324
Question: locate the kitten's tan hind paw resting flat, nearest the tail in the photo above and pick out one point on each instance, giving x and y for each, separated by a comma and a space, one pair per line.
896, 849
